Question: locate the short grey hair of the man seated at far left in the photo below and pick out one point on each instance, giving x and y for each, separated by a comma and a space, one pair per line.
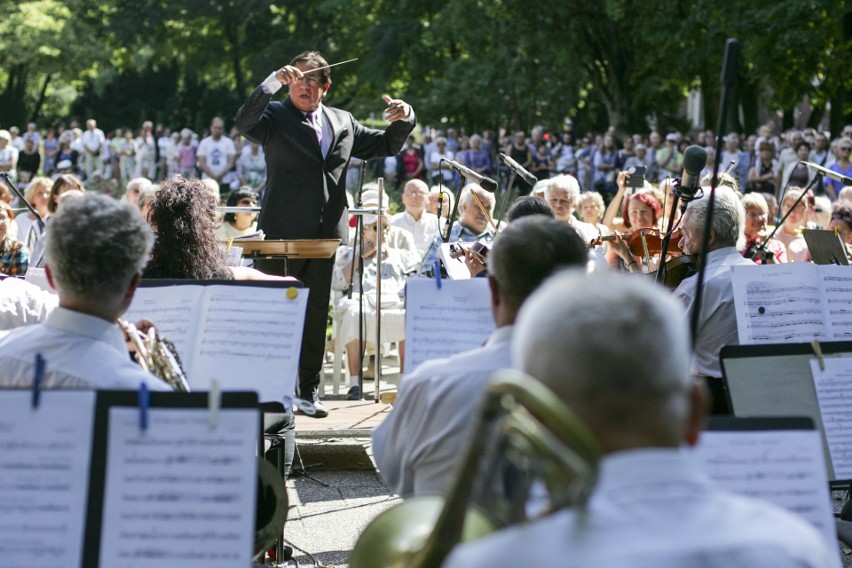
95, 245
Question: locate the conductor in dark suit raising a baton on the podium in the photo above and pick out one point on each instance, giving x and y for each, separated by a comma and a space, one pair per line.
308, 147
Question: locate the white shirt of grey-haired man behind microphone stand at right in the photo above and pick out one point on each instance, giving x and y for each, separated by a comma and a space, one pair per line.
717, 324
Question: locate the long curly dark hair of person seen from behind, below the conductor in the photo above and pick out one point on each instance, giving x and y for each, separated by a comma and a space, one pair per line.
183, 215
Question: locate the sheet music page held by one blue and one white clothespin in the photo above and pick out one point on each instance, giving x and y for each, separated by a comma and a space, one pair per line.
179, 493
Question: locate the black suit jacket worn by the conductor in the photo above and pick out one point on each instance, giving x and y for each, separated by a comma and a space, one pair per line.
306, 194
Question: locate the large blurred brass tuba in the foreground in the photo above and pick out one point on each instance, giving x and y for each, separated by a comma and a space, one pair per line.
524, 430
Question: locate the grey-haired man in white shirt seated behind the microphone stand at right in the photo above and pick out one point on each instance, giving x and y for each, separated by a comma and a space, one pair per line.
717, 321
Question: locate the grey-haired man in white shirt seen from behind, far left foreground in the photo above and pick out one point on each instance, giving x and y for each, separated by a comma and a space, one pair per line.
94, 258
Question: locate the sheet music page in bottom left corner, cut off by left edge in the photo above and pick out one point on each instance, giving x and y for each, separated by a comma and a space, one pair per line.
44, 477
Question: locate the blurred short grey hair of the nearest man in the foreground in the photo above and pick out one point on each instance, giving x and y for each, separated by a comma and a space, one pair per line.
586, 338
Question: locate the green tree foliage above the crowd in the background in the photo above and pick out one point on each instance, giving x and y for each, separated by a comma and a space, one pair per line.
471, 63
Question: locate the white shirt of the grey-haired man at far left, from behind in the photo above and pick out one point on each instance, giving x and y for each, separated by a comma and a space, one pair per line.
80, 351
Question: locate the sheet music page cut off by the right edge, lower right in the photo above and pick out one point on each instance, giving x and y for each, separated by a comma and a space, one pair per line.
834, 394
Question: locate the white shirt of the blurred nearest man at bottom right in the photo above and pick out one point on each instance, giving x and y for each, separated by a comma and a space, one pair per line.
654, 509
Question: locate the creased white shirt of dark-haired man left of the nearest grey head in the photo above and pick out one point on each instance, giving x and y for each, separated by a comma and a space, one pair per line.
419, 444
